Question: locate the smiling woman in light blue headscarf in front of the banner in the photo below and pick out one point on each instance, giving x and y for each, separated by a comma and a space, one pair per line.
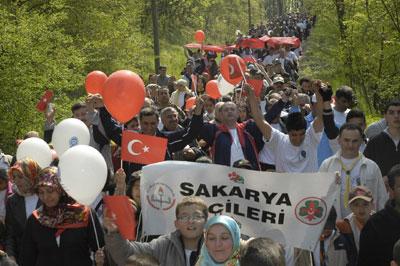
221, 242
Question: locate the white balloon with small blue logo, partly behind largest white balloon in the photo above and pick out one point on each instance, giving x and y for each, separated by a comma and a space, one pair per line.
68, 133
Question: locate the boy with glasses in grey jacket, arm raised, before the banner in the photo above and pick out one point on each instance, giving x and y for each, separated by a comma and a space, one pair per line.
179, 248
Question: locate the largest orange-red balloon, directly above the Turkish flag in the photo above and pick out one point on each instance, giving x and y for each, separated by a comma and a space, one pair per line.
123, 95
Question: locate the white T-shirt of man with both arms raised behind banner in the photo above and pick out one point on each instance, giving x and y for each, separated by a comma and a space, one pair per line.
294, 159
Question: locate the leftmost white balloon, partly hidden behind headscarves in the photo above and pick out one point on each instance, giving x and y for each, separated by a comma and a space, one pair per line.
36, 149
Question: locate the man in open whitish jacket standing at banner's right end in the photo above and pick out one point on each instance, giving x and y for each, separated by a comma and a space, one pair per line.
354, 169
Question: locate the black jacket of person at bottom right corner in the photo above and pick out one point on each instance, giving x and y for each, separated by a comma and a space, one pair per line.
379, 236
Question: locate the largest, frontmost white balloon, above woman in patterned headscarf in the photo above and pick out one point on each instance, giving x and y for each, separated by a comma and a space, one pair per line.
83, 173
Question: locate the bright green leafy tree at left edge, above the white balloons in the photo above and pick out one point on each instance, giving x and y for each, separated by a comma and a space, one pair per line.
35, 54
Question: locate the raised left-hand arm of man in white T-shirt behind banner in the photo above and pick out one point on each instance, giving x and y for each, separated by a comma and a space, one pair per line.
263, 125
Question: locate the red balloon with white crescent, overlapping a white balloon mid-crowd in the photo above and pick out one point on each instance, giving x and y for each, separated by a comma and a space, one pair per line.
232, 68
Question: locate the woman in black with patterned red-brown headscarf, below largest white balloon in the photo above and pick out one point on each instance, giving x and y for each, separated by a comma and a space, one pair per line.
61, 232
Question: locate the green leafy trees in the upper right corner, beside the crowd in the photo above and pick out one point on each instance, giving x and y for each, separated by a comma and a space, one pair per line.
363, 54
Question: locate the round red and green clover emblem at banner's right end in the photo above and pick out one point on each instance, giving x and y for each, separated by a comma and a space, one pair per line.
311, 211
